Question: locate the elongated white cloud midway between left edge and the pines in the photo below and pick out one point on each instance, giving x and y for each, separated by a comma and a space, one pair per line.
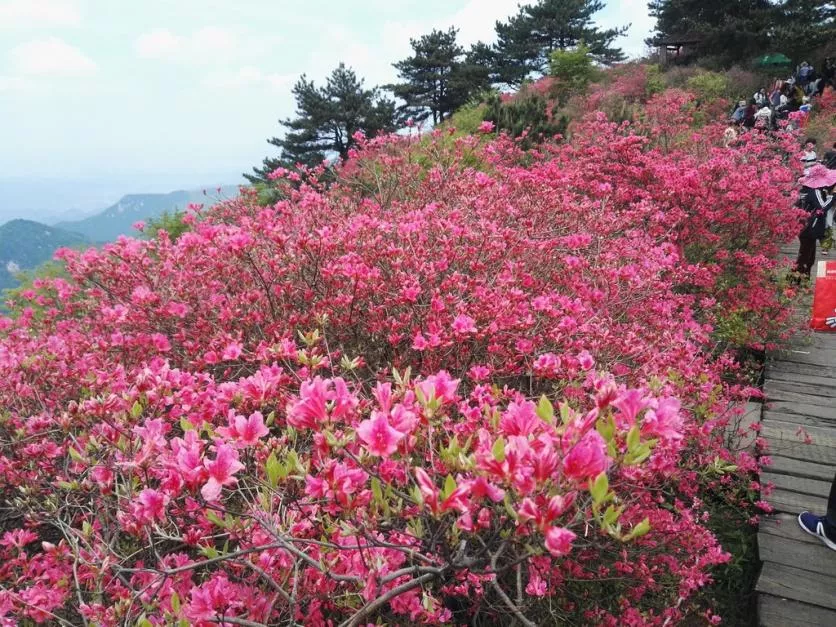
208, 45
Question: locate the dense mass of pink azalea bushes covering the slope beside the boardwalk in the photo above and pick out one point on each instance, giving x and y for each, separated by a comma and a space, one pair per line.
462, 382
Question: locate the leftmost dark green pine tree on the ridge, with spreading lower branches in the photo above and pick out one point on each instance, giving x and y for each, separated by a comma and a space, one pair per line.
327, 119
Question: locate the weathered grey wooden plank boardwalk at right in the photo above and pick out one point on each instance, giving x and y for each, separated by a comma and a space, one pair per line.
797, 586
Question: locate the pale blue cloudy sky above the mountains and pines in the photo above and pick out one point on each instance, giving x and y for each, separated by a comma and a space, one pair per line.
160, 94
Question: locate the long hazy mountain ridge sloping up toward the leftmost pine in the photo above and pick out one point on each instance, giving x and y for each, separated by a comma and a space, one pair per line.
119, 219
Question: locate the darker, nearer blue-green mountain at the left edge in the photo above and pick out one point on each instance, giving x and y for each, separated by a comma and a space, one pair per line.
24, 245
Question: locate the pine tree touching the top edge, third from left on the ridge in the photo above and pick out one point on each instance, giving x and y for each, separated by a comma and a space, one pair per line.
526, 41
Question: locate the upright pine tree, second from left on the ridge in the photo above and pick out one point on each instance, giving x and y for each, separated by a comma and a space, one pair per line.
438, 78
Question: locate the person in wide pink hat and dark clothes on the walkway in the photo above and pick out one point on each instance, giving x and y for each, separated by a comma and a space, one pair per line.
816, 199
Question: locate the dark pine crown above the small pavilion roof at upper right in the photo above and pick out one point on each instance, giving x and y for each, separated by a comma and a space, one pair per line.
731, 31
